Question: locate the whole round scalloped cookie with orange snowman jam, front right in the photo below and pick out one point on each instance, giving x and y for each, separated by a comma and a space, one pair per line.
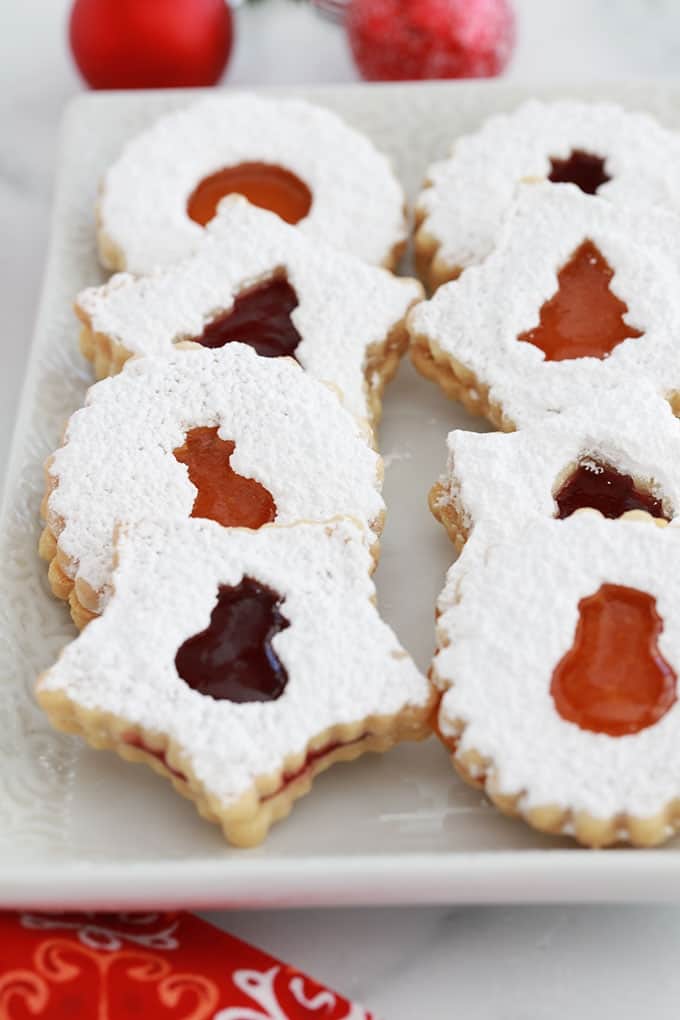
558, 662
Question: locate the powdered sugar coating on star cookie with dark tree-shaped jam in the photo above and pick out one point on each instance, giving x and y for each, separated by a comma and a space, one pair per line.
345, 307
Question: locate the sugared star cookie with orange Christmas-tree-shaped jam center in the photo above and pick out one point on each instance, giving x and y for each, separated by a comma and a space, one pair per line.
580, 297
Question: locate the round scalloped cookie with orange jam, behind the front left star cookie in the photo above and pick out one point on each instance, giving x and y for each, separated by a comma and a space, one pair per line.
224, 435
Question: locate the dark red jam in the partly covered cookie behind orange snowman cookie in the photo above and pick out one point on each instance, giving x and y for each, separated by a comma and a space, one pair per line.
600, 487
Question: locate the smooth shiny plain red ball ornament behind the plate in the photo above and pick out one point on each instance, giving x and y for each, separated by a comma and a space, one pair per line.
150, 44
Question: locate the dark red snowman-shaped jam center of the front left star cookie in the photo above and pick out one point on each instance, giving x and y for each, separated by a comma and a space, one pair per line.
233, 659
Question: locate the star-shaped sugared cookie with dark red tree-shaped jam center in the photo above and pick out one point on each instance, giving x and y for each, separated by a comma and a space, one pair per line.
257, 280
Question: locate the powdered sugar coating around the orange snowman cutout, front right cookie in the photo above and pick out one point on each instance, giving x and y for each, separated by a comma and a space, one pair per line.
510, 613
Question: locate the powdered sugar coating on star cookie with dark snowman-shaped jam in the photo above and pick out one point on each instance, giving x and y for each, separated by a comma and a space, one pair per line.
344, 664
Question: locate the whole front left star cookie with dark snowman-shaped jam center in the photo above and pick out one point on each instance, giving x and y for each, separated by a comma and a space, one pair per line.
240, 665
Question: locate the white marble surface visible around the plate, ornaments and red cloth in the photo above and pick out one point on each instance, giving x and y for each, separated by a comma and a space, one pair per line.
488, 964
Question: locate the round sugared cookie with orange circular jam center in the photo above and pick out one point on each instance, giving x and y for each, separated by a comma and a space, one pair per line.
299, 161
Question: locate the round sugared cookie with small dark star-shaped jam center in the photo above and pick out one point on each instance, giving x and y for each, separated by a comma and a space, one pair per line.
624, 159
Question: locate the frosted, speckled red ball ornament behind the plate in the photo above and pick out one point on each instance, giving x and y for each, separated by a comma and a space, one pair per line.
408, 40
